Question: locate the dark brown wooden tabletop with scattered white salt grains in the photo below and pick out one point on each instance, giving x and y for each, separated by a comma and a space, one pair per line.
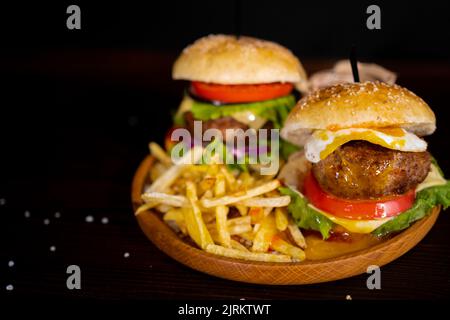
75, 126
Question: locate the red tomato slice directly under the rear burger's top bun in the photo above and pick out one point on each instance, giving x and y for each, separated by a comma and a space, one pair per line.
241, 92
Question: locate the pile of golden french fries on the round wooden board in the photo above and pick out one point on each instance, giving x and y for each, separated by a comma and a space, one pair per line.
225, 212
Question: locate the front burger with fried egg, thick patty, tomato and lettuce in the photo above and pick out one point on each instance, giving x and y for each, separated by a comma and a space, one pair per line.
364, 168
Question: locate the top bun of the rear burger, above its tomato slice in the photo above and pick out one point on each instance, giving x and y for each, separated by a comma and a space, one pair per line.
225, 59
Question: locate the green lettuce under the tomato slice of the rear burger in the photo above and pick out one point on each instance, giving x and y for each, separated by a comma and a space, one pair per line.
275, 110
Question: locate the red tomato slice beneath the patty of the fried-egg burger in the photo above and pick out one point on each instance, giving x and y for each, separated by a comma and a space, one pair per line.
356, 209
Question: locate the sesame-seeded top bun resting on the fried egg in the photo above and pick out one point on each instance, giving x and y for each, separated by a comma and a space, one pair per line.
358, 105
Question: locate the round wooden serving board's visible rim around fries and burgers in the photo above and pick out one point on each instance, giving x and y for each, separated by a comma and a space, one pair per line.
271, 273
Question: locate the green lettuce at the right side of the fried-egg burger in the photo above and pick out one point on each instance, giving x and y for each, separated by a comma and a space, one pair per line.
425, 201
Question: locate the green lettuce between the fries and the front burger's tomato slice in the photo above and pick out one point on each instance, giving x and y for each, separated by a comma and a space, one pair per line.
305, 216
